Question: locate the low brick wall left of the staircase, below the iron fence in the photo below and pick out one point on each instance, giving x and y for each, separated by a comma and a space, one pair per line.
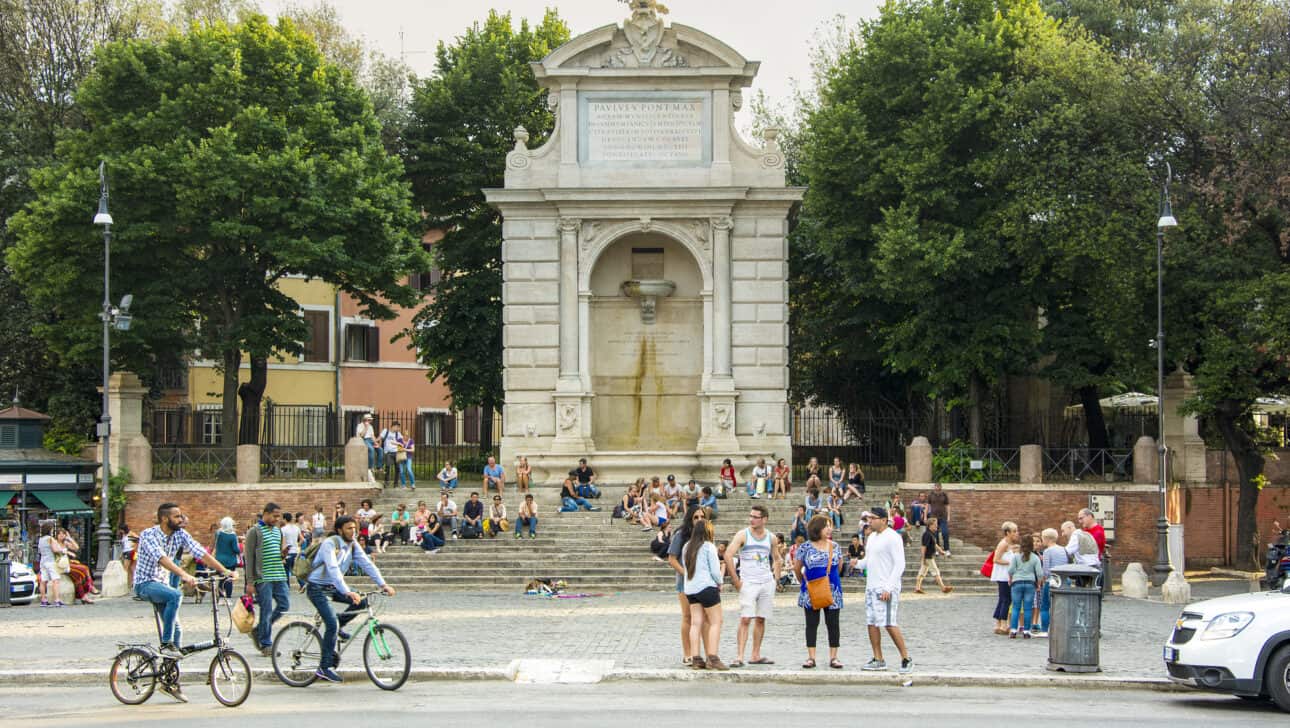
208, 503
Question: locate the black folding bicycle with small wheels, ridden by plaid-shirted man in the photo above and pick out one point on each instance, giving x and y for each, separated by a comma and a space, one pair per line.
139, 667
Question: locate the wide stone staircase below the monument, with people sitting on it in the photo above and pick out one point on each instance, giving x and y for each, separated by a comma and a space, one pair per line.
595, 553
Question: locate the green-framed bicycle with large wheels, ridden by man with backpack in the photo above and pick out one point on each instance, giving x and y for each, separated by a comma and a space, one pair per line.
386, 658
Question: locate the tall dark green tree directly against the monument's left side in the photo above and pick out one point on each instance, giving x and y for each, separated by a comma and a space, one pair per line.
461, 131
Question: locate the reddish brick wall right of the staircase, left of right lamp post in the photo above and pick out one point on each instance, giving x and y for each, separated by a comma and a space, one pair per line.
978, 511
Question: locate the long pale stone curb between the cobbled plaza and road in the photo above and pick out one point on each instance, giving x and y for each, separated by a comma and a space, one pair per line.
99, 677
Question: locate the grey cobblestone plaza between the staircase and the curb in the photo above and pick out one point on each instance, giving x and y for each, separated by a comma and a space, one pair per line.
635, 631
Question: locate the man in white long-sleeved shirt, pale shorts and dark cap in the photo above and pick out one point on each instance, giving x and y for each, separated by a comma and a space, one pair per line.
884, 561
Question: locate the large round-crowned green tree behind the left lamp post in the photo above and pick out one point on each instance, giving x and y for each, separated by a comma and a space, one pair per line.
238, 157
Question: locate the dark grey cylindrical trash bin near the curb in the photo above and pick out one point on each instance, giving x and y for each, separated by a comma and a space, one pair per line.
1077, 619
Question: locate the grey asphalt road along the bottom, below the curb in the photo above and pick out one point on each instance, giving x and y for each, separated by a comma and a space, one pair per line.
659, 704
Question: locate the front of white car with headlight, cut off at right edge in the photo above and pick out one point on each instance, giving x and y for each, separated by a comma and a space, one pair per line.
1235, 645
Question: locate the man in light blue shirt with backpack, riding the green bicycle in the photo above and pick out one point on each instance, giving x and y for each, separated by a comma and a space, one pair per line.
335, 558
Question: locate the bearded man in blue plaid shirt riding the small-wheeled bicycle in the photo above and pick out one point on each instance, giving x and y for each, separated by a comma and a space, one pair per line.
159, 547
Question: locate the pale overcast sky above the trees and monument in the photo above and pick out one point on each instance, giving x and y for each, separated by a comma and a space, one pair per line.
776, 33
